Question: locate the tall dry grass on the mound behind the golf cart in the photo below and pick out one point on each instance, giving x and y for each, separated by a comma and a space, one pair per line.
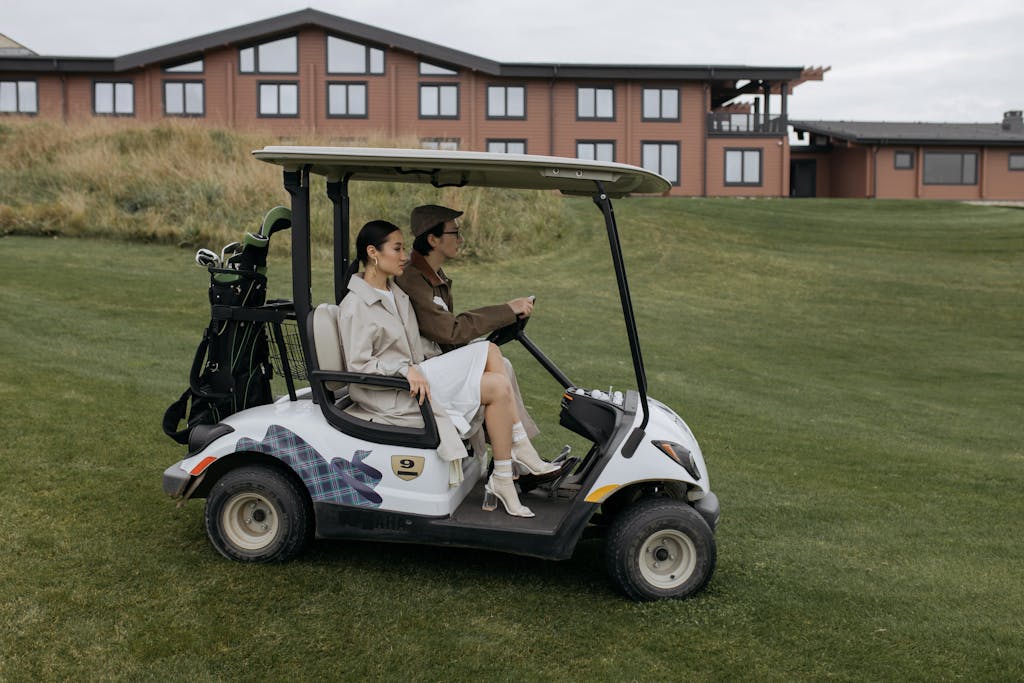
193, 186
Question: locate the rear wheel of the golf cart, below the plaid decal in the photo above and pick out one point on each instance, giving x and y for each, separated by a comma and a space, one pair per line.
259, 515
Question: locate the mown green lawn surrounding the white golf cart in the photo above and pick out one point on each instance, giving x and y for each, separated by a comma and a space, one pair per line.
854, 371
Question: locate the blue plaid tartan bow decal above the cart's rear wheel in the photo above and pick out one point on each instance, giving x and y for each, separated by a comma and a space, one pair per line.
350, 483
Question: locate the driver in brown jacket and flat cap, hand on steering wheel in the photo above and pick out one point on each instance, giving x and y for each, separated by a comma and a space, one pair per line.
437, 238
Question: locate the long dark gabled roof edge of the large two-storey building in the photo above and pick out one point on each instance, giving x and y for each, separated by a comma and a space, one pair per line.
193, 49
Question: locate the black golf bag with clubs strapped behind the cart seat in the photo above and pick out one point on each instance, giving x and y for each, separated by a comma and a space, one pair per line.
232, 370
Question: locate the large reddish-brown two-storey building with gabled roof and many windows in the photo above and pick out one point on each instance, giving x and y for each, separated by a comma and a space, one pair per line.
315, 74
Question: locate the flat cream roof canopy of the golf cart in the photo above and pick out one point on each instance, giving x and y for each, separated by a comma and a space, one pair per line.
443, 168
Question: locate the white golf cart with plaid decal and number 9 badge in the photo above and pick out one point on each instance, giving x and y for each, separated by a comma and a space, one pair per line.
275, 476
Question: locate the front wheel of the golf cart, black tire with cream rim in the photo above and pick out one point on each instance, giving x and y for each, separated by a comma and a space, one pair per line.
660, 548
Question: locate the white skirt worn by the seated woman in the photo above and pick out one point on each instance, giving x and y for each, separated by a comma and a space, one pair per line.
455, 382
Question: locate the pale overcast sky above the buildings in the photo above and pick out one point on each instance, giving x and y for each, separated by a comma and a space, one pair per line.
891, 60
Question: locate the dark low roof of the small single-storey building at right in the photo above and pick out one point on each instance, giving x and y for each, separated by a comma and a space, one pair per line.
882, 133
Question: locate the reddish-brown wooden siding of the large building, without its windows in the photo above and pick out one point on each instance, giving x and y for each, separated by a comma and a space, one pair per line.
551, 126
